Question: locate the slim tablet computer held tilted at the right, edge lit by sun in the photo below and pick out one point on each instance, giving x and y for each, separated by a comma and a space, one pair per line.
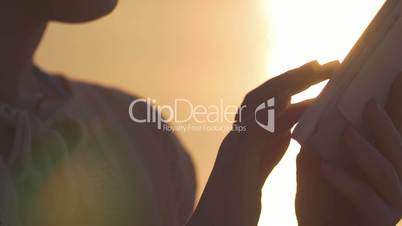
366, 73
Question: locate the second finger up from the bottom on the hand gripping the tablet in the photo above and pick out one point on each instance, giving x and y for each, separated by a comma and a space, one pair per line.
379, 171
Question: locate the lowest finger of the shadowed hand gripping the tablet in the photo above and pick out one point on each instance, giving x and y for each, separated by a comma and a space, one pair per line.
365, 199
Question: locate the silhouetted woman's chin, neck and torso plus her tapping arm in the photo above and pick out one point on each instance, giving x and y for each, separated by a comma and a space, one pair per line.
71, 156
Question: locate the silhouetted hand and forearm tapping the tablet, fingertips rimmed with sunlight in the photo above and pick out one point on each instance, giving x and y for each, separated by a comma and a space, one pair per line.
245, 159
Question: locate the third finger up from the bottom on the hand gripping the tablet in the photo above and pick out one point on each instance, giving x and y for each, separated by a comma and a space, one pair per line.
385, 135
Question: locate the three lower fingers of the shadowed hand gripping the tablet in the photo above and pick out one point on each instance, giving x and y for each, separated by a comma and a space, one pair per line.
378, 198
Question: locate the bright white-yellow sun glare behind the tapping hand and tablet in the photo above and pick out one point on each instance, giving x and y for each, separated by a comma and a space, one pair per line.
301, 31
